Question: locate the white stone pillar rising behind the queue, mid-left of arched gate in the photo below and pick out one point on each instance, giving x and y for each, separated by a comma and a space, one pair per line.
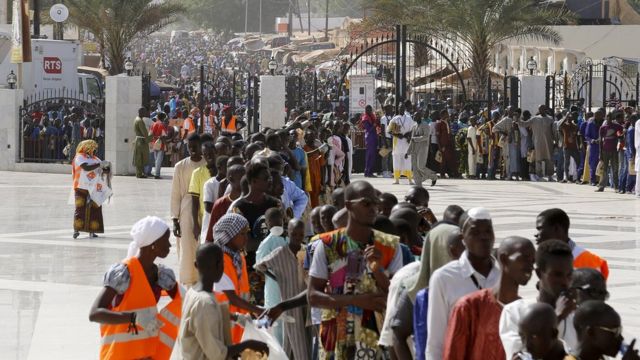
272, 101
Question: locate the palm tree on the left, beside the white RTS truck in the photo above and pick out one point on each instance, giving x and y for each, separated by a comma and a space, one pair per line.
117, 23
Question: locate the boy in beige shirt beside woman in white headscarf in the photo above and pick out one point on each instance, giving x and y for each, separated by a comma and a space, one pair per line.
203, 331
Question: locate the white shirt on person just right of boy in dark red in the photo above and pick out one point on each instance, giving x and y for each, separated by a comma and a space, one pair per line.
510, 318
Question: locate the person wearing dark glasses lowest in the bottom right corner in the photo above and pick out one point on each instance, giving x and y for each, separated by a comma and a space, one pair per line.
600, 333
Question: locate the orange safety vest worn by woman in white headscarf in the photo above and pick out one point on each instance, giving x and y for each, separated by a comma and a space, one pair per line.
118, 343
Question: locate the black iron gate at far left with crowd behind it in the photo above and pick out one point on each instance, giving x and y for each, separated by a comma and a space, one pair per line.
52, 124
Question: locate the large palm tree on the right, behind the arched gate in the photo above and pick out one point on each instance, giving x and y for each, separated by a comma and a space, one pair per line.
474, 26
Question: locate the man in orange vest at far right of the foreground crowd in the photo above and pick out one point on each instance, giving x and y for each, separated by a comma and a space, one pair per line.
554, 224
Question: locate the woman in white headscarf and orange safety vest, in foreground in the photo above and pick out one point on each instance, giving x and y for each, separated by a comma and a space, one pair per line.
126, 308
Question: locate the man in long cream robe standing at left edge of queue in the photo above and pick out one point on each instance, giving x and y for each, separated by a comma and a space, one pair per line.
181, 211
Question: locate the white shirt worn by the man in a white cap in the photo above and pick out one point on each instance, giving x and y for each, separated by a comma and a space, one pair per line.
447, 285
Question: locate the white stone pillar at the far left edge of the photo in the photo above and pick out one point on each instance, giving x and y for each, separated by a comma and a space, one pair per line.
10, 101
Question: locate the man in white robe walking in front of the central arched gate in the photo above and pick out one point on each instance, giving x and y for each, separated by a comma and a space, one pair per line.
400, 128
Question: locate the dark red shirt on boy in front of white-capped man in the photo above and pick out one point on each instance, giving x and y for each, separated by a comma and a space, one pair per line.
473, 330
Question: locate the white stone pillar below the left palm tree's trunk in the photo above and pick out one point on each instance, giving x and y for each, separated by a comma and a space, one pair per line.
124, 96
